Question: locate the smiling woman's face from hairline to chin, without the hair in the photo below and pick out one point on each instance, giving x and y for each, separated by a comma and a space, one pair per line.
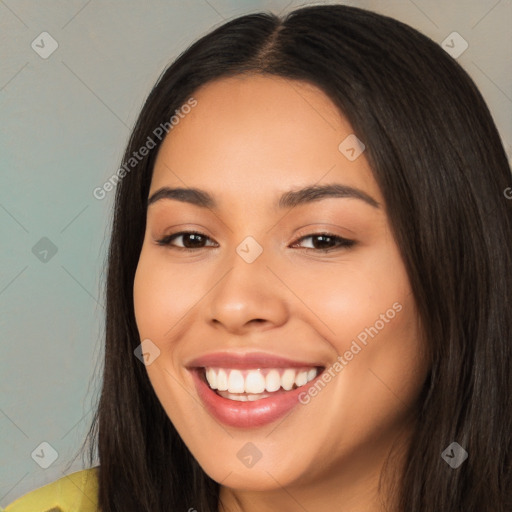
270, 292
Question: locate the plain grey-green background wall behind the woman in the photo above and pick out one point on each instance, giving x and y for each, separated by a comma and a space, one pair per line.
64, 123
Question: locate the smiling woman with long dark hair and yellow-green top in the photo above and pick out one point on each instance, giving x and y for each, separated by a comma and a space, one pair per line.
309, 280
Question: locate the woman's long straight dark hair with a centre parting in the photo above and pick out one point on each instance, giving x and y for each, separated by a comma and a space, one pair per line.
442, 170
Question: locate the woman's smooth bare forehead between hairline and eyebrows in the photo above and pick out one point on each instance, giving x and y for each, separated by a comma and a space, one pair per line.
259, 130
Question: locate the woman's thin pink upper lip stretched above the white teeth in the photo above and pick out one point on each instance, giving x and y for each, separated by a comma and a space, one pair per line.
248, 360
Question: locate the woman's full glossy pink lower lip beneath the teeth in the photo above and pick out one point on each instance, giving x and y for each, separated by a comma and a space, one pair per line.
246, 414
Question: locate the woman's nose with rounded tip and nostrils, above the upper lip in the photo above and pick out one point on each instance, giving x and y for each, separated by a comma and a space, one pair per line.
248, 297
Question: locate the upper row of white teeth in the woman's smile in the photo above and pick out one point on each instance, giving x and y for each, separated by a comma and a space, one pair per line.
258, 381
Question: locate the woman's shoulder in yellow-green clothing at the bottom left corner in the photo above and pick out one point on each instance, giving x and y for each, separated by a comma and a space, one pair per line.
76, 492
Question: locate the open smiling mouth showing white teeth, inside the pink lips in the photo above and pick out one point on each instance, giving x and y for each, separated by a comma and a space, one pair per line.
248, 385
